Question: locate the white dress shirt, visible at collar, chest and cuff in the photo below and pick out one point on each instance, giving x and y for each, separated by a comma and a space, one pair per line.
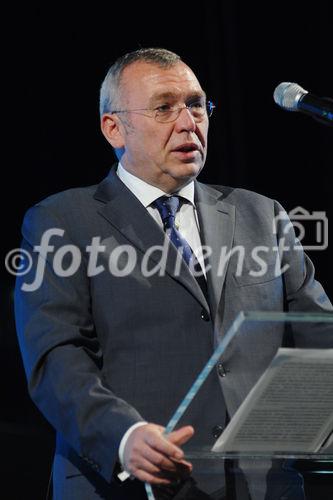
187, 223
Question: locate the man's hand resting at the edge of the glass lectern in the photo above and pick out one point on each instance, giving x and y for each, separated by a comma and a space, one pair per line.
154, 458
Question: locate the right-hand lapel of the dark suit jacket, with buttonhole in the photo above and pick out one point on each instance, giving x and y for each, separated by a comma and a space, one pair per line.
217, 225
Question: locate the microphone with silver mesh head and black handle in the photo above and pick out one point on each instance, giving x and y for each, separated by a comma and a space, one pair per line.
292, 97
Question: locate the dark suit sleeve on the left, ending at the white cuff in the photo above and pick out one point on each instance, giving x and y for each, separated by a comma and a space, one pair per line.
62, 357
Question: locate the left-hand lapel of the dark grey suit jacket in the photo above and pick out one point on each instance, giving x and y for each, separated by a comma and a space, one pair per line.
124, 211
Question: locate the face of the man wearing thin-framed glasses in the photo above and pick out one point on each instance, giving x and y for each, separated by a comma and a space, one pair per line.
166, 155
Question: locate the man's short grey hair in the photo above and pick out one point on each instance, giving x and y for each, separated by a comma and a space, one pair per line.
109, 94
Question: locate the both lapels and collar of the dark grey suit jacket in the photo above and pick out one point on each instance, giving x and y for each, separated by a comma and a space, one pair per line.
216, 218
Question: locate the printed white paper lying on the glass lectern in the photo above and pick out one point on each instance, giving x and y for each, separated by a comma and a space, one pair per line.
290, 409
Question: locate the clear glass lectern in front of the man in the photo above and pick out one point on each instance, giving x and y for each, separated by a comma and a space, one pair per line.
263, 469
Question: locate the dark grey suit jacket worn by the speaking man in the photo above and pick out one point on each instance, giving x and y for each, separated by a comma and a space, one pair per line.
103, 352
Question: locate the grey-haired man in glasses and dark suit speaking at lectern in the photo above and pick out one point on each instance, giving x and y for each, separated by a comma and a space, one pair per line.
114, 322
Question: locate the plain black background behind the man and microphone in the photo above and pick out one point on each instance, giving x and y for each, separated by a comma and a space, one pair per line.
55, 59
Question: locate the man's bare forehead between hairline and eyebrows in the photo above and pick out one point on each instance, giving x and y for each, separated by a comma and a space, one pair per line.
150, 79
